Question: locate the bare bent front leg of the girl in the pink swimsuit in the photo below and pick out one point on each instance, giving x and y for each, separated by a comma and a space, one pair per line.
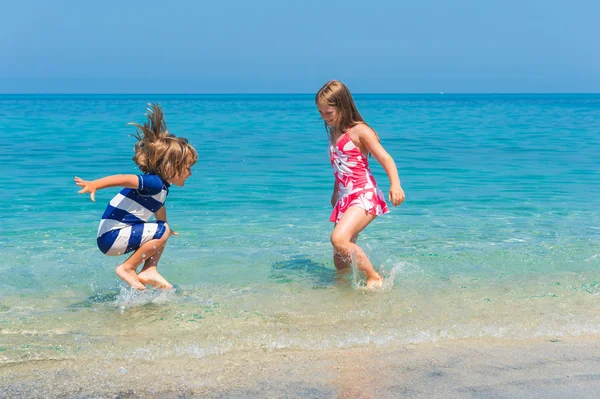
353, 222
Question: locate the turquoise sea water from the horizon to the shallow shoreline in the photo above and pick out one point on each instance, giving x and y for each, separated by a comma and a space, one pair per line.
499, 235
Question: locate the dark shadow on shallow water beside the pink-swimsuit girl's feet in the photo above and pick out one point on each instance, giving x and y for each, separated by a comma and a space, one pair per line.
302, 269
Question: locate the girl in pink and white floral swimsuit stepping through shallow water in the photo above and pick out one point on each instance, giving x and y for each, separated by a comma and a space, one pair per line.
356, 199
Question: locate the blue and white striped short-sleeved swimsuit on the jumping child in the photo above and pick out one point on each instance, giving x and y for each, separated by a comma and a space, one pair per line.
124, 226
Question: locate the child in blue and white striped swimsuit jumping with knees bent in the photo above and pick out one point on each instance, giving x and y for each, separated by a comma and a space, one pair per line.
164, 160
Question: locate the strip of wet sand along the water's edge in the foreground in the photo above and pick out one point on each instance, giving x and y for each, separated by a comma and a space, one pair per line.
474, 368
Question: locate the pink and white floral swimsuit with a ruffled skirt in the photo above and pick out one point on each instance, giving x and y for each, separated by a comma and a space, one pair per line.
355, 182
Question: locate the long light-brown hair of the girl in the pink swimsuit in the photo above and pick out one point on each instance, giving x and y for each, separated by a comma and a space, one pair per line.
335, 94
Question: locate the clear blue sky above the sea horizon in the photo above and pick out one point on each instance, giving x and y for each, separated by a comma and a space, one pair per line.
241, 46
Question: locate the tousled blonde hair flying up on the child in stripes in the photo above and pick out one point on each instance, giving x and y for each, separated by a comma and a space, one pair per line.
158, 151
